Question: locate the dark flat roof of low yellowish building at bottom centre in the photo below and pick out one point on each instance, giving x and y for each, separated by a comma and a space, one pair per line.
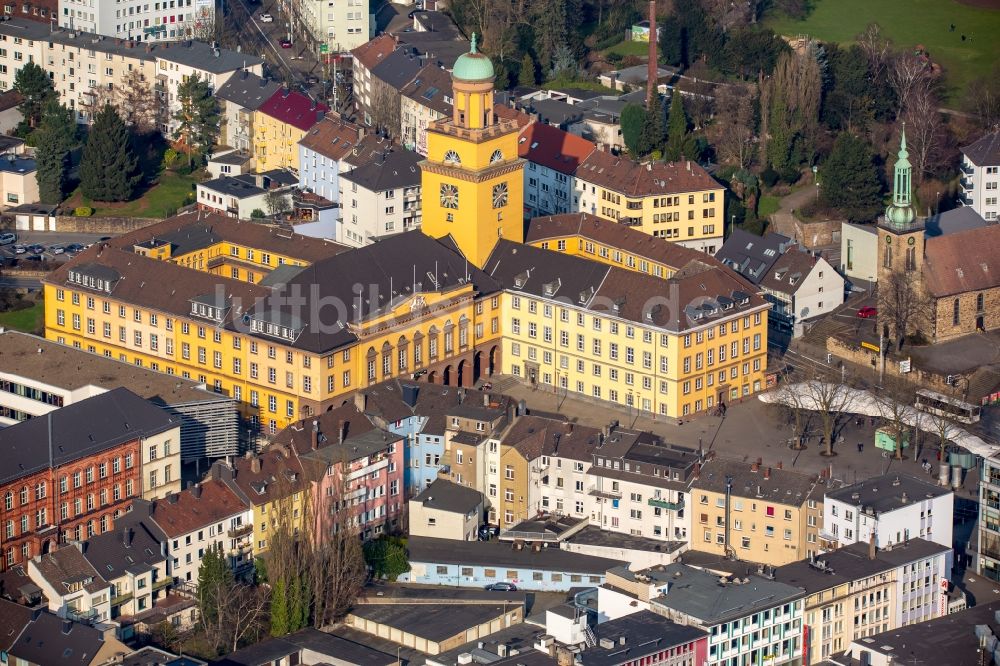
434, 622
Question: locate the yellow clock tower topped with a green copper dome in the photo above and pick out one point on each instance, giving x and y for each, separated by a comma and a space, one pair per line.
472, 179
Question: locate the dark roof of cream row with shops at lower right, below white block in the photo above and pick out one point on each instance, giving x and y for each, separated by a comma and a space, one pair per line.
851, 563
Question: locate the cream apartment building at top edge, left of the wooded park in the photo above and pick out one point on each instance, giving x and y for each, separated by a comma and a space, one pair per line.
338, 26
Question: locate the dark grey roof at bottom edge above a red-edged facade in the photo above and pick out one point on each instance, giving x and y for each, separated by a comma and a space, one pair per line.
636, 636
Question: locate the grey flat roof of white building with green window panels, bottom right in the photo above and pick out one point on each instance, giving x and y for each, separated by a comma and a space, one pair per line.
699, 595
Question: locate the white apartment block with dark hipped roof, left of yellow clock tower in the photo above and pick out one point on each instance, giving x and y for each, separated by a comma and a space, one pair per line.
382, 197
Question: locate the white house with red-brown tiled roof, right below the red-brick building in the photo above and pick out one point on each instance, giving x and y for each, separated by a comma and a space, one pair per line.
205, 516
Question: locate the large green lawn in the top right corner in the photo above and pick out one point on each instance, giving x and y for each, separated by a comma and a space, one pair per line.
908, 23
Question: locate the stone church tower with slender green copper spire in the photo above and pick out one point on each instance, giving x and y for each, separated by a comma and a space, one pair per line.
900, 234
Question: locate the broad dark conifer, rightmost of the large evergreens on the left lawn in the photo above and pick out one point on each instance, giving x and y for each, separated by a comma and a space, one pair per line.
109, 169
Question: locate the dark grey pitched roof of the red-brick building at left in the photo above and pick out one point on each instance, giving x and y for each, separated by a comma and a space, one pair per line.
79, 430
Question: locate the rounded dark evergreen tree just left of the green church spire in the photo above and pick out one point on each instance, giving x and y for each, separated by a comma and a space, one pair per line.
849, 179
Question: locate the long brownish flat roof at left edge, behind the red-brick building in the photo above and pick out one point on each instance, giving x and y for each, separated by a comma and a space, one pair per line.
71, 369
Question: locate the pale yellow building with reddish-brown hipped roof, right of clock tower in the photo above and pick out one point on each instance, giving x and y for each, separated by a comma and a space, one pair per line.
678, 201
